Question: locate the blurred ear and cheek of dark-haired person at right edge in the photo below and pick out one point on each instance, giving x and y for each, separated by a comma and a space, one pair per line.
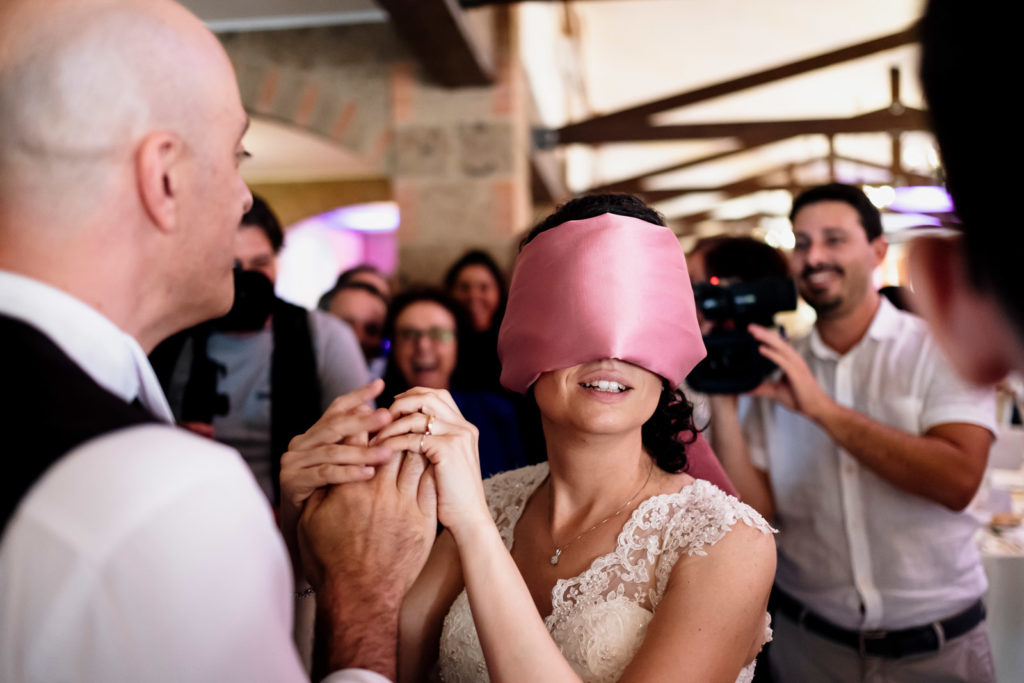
968, 323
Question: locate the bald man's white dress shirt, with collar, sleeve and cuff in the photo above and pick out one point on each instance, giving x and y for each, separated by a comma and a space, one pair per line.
148, 554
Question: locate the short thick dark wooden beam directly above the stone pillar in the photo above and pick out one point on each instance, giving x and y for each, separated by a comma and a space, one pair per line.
438, 34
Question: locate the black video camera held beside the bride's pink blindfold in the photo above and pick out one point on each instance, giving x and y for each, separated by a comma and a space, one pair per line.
735, 365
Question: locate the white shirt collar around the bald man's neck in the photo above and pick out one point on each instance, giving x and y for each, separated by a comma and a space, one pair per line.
114, 360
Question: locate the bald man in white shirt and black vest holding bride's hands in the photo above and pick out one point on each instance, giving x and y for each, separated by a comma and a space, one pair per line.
132, 550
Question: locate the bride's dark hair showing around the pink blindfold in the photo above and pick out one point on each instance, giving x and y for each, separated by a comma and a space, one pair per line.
670, 430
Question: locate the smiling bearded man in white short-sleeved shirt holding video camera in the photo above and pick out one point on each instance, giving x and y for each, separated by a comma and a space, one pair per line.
866, 453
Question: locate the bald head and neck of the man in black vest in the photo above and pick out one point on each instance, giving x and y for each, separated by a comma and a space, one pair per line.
122, 135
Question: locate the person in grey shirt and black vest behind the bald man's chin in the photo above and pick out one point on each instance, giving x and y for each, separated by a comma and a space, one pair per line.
265, 373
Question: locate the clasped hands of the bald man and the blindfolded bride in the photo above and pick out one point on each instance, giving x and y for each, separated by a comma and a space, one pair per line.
365, 488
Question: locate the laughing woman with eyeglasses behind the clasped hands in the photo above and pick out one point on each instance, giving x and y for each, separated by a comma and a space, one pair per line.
426, 328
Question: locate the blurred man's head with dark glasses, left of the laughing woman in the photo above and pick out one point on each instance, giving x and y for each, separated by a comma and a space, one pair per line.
364, 308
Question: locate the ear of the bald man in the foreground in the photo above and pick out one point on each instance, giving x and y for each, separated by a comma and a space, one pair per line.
158, 168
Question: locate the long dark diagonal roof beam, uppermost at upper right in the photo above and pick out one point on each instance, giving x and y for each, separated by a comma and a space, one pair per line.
590, 126
